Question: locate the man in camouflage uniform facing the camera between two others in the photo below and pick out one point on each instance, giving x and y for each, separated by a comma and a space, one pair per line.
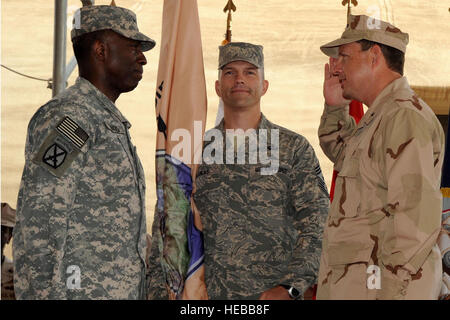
261, 231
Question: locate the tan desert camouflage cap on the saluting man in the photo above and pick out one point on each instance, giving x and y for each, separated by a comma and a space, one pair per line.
368, 28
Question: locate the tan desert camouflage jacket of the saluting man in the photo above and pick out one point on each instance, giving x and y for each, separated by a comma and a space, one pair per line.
380, 235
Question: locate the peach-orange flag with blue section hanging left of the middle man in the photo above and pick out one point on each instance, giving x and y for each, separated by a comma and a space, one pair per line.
181, 114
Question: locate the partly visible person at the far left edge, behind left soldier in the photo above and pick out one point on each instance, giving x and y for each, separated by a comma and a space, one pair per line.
8, 222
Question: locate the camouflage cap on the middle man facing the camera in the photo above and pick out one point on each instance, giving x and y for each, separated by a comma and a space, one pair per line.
241, 51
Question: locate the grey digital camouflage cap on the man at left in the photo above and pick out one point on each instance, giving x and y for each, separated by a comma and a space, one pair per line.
102, 17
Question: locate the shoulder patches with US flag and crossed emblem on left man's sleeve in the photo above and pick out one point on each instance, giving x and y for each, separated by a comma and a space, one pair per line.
61, 147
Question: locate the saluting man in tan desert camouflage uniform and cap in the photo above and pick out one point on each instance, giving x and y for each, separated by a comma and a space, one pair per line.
380, 235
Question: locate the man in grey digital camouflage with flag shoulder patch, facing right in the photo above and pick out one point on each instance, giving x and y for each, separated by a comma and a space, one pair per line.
81, 199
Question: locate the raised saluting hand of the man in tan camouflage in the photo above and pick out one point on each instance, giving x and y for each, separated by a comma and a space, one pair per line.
332, 90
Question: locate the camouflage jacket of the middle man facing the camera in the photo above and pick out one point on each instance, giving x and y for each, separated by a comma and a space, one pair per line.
262, 230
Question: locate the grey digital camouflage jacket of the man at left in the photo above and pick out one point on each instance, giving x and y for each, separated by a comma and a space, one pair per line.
91, 214
